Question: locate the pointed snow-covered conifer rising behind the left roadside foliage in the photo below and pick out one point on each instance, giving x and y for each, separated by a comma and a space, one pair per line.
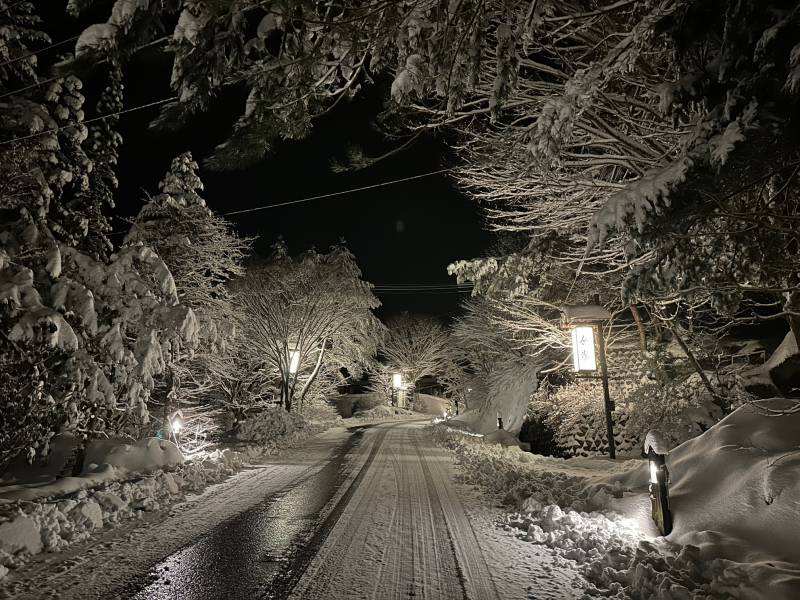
203, 254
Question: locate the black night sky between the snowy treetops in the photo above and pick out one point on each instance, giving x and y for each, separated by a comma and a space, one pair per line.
405, 233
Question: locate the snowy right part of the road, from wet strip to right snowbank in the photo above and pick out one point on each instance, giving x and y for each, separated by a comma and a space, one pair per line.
409, 529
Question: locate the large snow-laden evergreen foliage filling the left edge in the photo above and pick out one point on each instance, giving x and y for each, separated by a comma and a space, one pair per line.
82, 337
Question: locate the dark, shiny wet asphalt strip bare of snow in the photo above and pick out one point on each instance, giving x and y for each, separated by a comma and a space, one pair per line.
261, 553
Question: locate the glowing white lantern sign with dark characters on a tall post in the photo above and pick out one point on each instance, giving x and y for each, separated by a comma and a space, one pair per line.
586, 321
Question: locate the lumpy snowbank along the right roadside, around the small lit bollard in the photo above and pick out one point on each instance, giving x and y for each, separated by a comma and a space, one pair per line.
735, 499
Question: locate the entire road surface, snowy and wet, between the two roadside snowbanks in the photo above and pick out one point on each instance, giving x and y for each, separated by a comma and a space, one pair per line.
372, 513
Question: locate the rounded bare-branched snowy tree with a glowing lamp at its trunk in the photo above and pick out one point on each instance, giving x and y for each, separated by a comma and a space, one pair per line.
308, 317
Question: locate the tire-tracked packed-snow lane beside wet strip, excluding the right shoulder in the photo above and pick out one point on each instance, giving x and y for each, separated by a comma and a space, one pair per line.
395, 538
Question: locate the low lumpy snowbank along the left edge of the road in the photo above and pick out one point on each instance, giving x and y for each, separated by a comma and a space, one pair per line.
52, 515
